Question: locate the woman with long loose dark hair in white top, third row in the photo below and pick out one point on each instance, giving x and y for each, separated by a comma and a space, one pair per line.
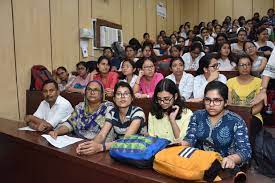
225, 58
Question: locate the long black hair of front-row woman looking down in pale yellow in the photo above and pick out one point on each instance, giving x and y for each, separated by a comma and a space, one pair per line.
168, 86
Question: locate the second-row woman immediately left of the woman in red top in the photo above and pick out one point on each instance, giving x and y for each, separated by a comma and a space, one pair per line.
82, 79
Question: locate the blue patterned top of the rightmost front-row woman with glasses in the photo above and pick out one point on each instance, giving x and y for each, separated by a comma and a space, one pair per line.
228, 136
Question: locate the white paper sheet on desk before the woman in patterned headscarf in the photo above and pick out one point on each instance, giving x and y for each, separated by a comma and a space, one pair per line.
61, 141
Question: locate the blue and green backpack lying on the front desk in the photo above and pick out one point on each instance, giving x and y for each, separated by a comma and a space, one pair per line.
137, 150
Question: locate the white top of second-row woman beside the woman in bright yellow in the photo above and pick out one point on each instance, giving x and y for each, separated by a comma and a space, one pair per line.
200, 83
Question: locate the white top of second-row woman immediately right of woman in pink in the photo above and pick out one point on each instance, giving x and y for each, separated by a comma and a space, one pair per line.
186, 84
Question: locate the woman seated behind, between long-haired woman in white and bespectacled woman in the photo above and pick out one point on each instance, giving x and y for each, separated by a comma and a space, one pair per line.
241, 38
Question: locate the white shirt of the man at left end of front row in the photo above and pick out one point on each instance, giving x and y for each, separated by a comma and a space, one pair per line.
58, 113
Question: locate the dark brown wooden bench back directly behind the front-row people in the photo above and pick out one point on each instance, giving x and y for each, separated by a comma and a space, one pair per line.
33, 99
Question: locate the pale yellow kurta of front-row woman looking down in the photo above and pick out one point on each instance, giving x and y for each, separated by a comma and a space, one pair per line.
163, 129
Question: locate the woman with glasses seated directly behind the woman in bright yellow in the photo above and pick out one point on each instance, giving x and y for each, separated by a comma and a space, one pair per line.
259, 62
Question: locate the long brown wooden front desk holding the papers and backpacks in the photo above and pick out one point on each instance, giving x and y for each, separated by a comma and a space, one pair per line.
27, 157
